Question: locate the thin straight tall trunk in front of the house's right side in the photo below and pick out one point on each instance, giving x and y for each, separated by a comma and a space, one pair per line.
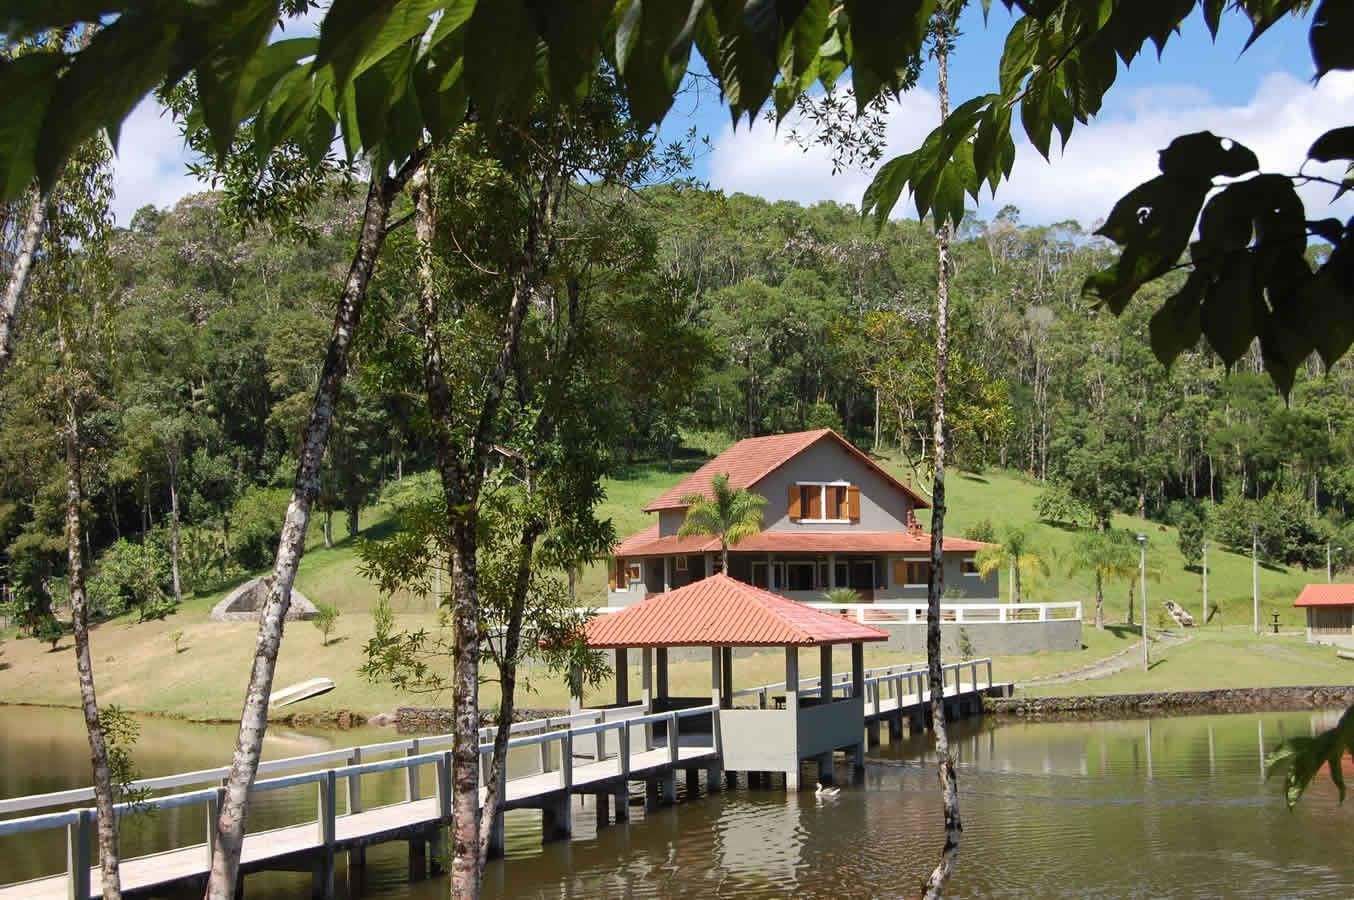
936, 587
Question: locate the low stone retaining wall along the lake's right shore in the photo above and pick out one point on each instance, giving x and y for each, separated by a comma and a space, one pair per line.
1173, 702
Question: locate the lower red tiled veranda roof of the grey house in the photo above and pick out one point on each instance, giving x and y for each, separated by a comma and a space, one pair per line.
648, 543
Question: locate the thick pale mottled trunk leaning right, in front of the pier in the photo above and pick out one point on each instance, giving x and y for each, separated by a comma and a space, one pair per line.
254, 722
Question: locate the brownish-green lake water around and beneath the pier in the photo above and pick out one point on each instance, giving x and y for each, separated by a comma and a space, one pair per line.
1169, 807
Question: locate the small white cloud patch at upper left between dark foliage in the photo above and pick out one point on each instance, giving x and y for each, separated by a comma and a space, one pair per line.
151, 166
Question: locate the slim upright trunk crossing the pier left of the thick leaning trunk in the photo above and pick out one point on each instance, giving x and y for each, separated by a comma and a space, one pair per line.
104, 799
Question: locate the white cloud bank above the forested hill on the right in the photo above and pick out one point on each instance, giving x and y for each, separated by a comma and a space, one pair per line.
1103, 162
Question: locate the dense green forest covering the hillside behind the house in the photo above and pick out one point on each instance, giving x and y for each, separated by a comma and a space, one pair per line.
726, 317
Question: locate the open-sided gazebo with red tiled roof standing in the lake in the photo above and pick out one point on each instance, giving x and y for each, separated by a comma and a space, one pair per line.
724, 614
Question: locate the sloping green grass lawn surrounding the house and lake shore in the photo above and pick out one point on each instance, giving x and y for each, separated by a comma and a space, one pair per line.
137, 665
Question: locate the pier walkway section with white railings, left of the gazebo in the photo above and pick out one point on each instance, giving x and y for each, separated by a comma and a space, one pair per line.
420, 821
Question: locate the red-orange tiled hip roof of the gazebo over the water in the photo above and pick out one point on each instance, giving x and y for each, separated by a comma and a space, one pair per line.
725, 612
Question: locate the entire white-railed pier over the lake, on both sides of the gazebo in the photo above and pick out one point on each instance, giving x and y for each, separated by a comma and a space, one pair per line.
596, 752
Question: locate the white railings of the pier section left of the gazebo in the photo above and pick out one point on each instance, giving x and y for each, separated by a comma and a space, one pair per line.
81, 822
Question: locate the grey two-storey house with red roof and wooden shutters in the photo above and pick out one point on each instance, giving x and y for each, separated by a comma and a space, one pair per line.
833, 519
